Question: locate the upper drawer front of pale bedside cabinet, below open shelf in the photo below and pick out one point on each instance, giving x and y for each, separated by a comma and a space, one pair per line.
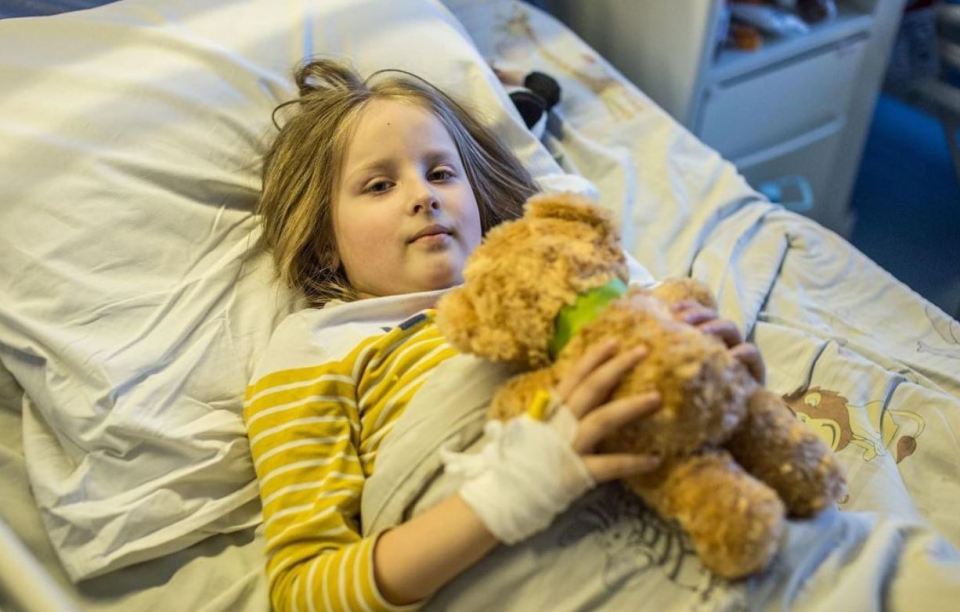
749, 114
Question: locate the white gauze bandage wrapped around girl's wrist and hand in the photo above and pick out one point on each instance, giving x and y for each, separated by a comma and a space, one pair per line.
525, 475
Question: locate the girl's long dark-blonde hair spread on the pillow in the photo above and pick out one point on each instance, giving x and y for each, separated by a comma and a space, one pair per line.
301, 169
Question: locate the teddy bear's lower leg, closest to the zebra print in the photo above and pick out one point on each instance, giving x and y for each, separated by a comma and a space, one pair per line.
734, 520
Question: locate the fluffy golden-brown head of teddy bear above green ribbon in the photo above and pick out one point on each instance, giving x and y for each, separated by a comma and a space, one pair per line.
525, 272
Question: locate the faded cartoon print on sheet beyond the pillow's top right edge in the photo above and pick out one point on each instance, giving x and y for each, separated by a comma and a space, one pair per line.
593, 74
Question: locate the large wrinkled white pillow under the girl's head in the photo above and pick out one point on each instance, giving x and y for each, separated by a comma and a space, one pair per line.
131, 310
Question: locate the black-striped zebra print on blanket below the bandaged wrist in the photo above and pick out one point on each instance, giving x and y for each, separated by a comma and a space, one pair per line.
636, 540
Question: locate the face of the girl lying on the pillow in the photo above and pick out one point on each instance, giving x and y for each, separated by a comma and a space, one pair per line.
404, 213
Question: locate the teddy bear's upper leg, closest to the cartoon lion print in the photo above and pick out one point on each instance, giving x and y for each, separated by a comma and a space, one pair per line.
773, 445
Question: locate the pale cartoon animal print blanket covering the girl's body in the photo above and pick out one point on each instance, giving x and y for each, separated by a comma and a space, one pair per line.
886, 401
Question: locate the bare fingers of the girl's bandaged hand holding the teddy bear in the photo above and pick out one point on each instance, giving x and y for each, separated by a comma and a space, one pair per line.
585, 391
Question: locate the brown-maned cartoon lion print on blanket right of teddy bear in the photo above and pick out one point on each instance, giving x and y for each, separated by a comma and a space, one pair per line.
840, 423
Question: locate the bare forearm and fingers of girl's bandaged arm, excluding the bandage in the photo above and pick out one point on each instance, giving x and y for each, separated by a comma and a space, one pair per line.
415, 559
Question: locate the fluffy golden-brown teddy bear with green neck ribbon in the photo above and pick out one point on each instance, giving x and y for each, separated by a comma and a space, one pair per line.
542, 289
